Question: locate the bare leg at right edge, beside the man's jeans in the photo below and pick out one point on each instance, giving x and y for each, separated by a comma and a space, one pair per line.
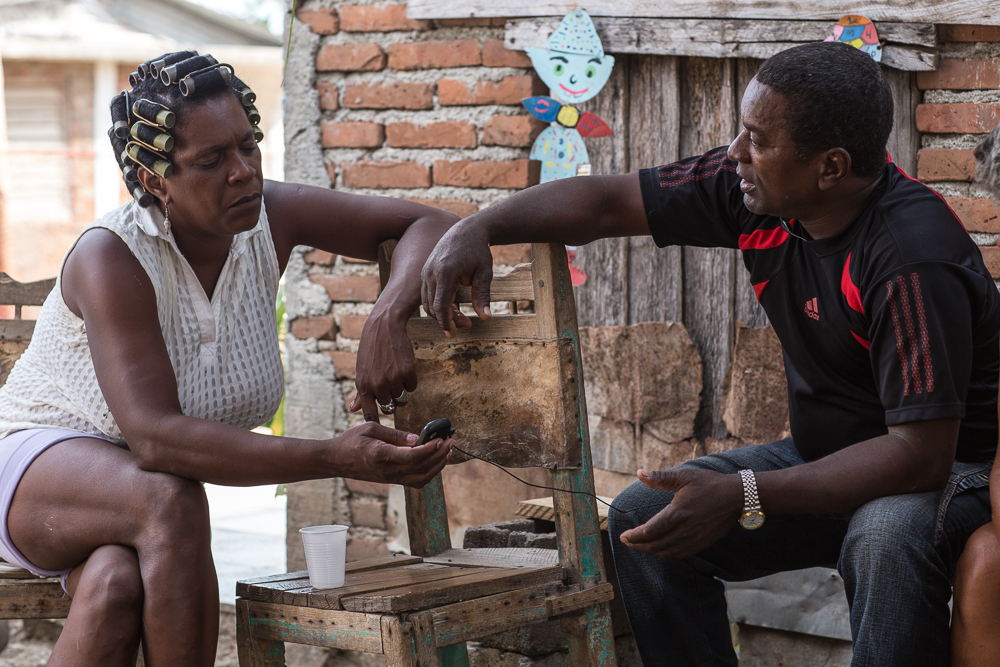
975, 621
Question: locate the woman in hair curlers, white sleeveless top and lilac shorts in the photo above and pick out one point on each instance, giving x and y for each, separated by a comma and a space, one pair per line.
156, 353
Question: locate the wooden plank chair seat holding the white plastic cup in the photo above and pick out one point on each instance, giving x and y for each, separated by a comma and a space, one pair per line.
395, 584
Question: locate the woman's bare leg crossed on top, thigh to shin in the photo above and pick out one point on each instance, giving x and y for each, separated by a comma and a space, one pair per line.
82, 494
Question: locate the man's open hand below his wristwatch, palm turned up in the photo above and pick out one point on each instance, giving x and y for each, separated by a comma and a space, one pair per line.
707, 505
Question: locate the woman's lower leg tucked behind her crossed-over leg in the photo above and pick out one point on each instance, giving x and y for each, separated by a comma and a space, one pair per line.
105, 617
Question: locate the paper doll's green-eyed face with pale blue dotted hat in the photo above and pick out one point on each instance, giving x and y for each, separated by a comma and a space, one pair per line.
573, 63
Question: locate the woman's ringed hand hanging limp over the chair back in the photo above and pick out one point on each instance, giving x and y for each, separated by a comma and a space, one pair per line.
385, 363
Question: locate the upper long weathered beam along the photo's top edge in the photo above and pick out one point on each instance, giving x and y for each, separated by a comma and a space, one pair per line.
979, 12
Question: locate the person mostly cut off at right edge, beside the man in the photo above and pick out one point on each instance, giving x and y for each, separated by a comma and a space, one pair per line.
975, 622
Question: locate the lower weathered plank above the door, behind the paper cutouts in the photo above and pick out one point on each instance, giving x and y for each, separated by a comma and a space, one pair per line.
909, 46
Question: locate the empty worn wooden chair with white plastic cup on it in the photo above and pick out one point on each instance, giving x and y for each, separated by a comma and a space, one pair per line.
513, 387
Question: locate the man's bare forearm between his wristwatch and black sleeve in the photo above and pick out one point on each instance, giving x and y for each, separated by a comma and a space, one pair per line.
843, 481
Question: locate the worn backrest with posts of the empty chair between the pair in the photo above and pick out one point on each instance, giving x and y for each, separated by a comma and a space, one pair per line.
513, 388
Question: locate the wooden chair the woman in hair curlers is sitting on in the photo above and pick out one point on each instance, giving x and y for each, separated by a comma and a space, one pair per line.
22, 594
